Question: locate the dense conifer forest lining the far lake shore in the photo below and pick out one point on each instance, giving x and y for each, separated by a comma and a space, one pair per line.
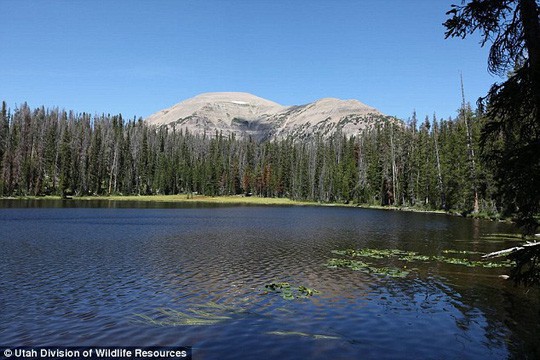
430, 164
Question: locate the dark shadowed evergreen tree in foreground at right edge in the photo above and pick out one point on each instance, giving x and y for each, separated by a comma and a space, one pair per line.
511, 136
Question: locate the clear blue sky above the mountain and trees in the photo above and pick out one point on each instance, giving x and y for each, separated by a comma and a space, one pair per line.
138, 57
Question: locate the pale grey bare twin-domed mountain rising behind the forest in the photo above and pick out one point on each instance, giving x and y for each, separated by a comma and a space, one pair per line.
248, 115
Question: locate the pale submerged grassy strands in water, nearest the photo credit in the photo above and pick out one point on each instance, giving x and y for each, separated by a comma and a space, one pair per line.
203, 314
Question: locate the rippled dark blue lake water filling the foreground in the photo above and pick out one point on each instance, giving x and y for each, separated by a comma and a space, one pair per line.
196, 277
